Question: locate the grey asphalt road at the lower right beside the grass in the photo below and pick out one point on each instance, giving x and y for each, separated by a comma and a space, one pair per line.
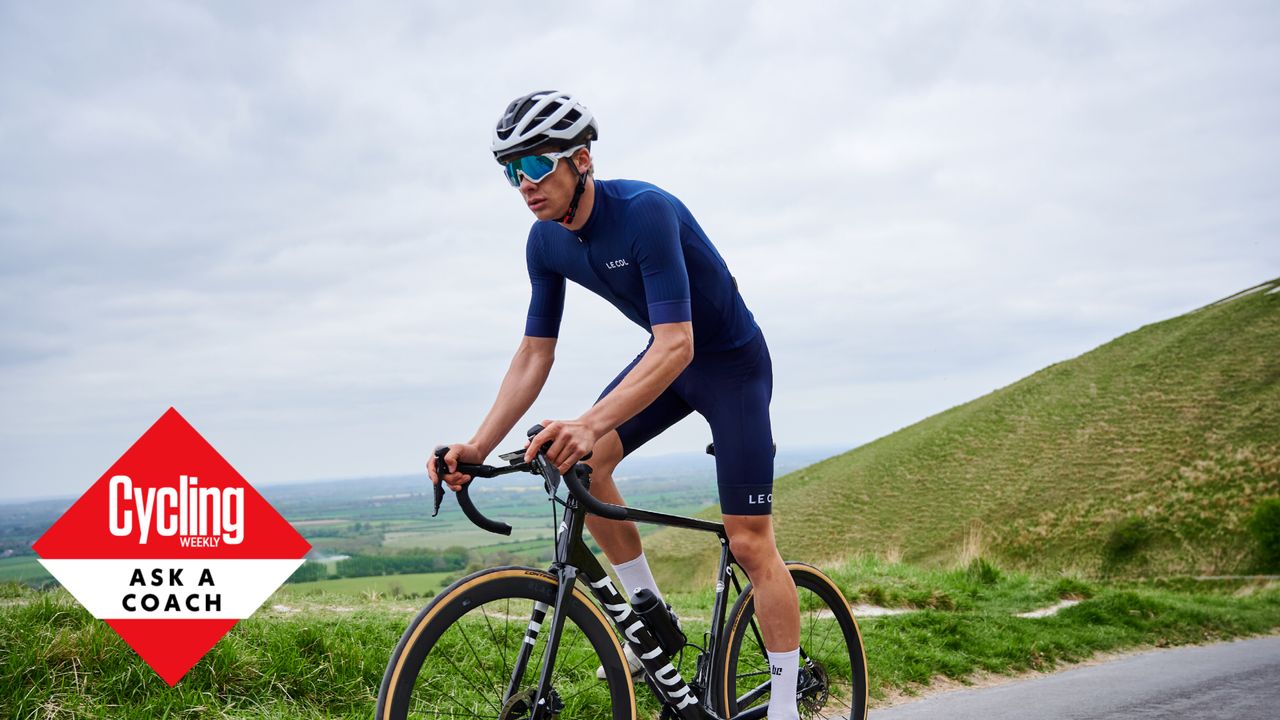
1238, 681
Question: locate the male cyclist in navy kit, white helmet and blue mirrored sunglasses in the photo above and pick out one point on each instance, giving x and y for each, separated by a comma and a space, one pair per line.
641, 249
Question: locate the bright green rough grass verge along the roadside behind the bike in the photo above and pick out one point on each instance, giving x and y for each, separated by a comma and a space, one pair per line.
57, 662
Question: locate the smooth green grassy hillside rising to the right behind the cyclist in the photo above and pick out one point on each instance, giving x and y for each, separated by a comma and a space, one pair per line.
1177, 425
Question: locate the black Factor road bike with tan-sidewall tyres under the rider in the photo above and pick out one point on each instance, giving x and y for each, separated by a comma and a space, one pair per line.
524, 644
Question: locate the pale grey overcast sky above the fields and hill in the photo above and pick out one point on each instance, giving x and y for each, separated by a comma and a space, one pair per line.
285, 220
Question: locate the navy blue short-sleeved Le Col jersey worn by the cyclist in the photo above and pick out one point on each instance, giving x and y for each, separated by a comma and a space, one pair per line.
643, 252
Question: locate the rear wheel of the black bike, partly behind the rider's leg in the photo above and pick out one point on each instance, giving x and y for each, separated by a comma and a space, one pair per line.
838, 683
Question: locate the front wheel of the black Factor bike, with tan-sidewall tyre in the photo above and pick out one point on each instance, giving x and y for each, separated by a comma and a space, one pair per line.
456, 658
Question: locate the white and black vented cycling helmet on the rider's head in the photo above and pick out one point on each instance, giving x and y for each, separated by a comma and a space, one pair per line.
541, 119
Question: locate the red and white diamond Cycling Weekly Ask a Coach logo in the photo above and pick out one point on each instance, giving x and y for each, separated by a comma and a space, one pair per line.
172, 548
